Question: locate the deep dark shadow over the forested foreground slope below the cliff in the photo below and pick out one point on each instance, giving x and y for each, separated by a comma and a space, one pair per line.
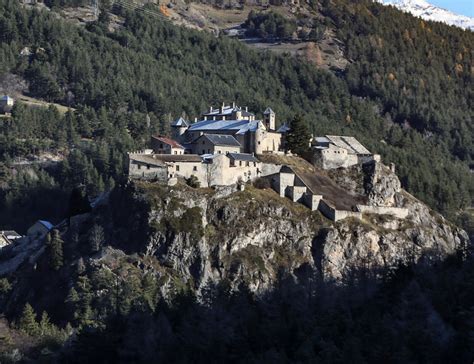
417, 313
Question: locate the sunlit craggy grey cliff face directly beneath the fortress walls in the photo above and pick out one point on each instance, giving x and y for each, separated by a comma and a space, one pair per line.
250, 236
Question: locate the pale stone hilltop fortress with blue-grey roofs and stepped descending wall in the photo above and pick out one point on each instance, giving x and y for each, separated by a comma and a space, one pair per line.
229, 146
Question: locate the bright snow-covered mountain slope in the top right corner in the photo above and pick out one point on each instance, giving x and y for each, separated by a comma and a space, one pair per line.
426, 11
